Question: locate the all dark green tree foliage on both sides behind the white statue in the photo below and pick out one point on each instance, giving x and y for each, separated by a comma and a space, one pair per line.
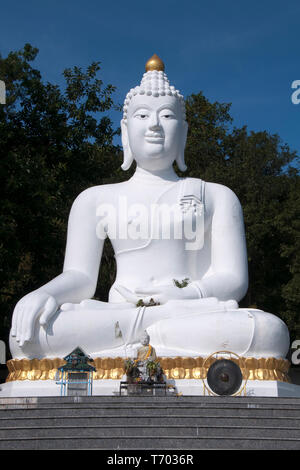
56, 142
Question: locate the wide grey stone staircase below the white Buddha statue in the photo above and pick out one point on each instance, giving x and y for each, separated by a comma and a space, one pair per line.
154, 423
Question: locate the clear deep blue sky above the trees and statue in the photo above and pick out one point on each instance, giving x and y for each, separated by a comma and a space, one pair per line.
245, 53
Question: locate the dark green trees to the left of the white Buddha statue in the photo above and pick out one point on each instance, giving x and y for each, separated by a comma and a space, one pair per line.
54, 144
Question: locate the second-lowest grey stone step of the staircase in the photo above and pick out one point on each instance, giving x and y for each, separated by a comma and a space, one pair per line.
178, 430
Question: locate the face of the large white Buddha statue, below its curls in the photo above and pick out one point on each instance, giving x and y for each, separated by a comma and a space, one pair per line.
155, 130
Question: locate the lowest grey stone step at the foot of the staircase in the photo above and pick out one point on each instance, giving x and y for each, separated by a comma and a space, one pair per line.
151, 442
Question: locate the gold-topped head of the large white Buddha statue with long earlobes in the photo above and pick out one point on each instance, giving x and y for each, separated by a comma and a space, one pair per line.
153, 127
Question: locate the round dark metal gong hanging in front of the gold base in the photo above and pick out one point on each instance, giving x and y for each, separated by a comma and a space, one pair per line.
224, 377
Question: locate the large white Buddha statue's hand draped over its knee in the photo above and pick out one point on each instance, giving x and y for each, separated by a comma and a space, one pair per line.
37, 304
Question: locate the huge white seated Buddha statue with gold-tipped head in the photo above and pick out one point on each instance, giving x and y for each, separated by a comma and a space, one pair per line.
180, 250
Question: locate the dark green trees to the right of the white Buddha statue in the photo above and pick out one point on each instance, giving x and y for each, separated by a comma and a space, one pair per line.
259, 169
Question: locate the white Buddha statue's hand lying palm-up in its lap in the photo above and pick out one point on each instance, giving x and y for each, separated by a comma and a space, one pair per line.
159, 294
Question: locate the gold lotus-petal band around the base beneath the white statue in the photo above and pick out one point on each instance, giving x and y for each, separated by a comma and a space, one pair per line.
174, 368
